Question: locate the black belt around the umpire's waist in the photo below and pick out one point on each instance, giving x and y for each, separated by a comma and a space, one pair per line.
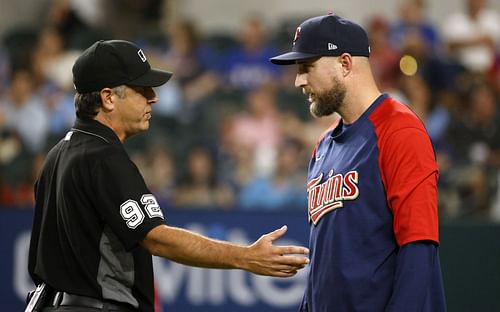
64, 299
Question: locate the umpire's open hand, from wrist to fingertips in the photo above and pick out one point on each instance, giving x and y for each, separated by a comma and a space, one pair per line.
264, 258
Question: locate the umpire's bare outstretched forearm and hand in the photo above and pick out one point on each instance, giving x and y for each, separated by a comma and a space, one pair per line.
261, 257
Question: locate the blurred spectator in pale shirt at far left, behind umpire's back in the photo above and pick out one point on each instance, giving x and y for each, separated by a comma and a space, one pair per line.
25, 111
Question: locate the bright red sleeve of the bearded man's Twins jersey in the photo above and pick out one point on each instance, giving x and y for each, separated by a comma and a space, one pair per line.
409, 173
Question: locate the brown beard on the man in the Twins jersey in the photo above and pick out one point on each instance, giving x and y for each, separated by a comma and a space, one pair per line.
328, 102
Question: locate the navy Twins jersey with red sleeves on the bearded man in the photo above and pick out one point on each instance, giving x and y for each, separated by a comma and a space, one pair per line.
371, 189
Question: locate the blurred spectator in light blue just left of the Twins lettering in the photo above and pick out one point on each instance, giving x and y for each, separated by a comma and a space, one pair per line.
285, 188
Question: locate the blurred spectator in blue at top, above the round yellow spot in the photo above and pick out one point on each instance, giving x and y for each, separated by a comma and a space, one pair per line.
412, 24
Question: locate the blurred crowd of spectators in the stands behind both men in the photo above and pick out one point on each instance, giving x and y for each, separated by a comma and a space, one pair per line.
230, 131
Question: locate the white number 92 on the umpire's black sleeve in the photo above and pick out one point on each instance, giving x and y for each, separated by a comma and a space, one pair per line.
132, 213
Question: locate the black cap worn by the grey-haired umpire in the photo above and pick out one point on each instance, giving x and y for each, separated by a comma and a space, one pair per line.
108, 64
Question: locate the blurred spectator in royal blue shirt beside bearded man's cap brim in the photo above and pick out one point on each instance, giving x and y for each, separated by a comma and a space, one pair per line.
247, 66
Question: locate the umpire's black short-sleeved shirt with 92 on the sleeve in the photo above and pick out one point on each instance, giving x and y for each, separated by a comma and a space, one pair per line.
92, 211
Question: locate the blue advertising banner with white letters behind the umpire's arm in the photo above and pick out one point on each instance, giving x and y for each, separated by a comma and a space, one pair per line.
181, 288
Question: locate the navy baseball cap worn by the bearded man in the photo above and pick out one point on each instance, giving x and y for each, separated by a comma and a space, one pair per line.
327, 35
